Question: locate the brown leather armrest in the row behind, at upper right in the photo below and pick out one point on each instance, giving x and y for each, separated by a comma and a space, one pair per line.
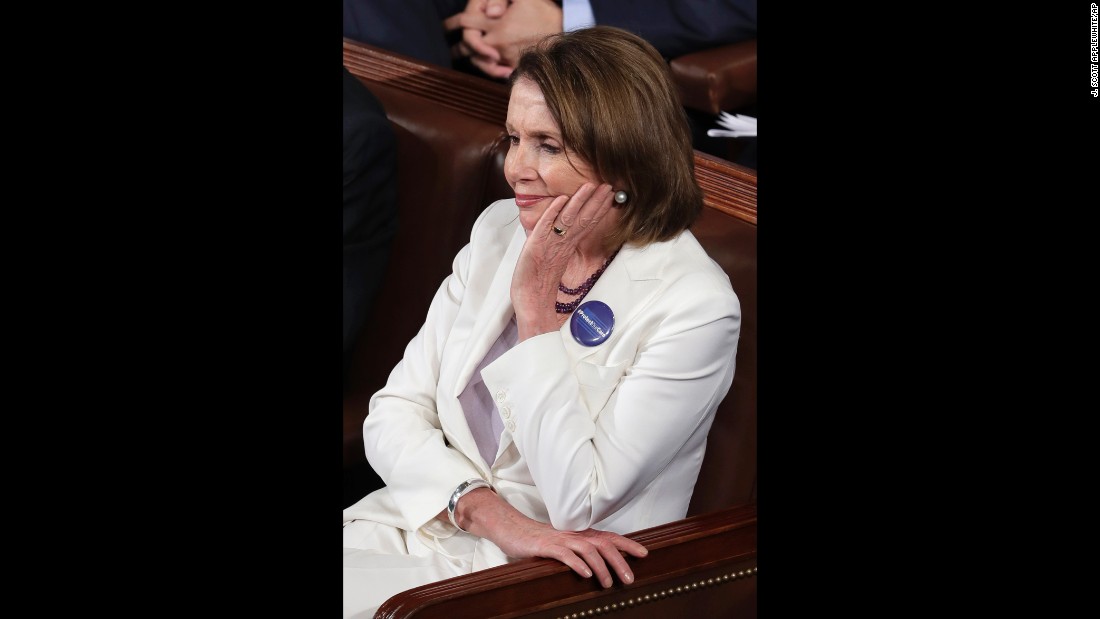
722, 79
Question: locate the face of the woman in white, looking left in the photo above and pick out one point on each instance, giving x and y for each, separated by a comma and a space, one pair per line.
536, 167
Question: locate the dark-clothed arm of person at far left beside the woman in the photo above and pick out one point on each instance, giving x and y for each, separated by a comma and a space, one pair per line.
370, 202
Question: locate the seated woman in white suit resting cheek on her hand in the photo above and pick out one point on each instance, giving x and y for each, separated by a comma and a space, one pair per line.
562, 389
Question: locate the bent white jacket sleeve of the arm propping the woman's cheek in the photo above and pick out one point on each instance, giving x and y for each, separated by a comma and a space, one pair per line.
588, 465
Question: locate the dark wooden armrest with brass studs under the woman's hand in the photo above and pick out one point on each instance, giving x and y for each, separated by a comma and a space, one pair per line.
700, 567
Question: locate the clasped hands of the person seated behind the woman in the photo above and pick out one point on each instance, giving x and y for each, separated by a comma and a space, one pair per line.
496, 32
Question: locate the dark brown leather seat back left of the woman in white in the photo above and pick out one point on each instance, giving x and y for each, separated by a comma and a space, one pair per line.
450, 153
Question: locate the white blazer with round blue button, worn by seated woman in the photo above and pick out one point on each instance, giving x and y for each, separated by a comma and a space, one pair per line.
610, 437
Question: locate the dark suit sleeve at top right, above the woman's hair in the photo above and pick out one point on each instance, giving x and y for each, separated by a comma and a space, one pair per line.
681, 27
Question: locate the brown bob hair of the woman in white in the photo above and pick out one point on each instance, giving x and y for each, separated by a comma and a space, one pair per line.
612, 95
